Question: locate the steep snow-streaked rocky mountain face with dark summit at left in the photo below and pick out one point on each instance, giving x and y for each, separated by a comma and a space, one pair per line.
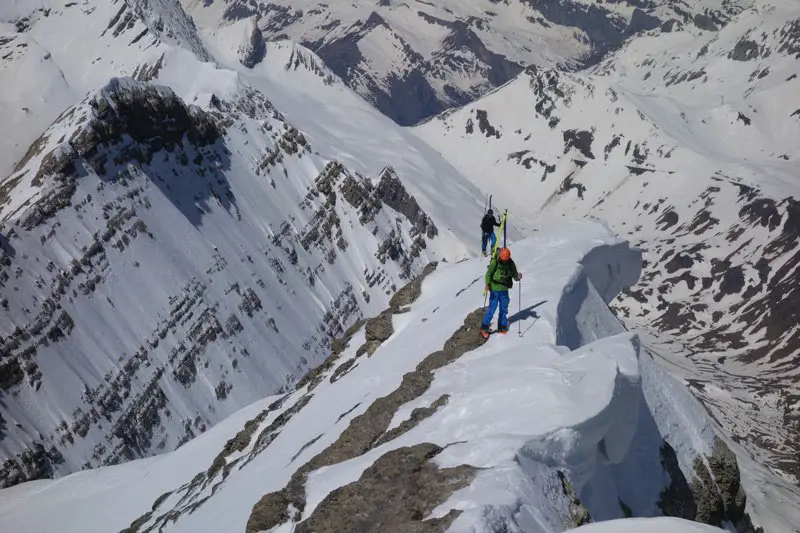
154, 257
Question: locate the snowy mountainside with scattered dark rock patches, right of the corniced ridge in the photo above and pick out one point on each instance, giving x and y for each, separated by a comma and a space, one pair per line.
686, 142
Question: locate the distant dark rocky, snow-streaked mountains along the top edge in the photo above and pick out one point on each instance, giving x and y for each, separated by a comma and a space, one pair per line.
415, 59
